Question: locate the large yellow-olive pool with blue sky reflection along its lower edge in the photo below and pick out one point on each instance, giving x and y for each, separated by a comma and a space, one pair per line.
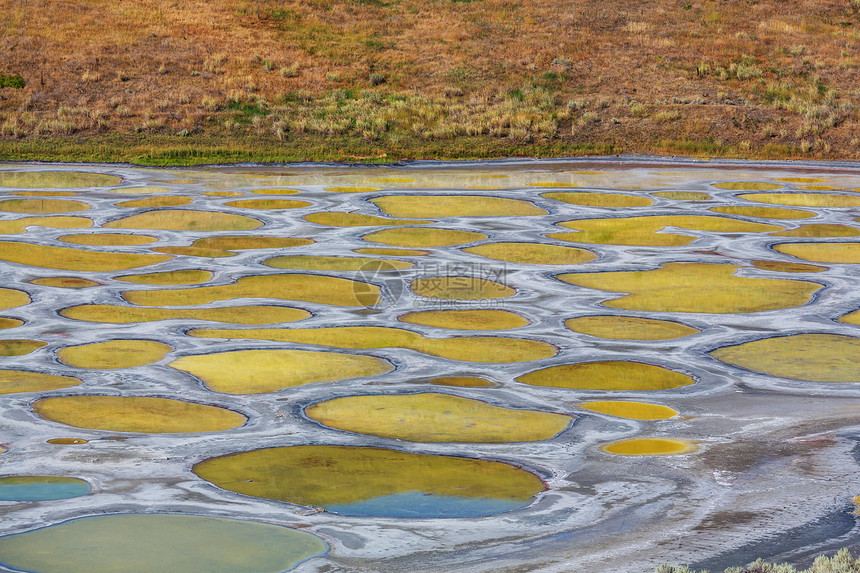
374, 481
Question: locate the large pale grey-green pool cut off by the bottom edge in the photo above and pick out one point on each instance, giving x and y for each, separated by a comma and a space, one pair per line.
136, 543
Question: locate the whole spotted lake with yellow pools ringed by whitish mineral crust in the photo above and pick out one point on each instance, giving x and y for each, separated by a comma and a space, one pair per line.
513, 366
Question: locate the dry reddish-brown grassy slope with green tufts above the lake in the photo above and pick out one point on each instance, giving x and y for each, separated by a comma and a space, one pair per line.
157, 81
